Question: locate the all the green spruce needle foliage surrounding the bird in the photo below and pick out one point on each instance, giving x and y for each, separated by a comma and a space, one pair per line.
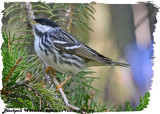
25, 84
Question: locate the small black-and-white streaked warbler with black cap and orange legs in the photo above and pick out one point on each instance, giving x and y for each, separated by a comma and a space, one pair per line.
61, 51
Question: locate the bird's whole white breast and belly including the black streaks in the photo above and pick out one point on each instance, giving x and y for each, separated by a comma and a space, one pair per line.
60, 61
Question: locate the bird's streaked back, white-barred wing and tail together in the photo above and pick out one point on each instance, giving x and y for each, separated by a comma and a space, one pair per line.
63, 41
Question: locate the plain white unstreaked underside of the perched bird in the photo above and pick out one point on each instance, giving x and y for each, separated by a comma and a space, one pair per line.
49, 60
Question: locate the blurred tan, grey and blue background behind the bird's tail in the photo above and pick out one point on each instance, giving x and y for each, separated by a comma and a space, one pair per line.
123, 32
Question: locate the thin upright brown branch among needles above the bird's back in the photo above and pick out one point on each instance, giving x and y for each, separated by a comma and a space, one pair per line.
70, 18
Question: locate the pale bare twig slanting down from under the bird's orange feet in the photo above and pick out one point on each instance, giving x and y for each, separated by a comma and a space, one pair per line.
63, 94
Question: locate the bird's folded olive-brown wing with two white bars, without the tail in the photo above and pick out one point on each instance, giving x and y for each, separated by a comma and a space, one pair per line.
82, 51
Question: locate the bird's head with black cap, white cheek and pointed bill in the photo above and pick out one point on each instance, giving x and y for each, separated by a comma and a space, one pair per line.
43, 24
